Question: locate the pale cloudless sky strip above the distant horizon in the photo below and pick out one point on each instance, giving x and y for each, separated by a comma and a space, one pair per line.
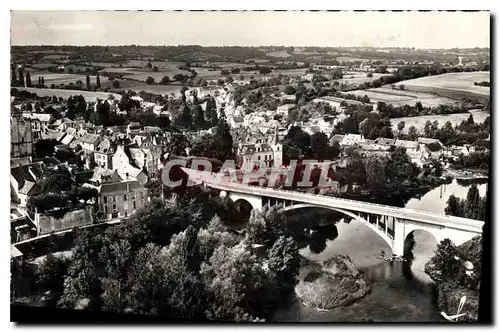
215, 28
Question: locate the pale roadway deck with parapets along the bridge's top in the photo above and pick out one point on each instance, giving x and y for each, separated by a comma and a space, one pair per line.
402, 212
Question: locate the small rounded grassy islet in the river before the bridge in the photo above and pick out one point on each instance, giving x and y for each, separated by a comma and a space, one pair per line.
335, 283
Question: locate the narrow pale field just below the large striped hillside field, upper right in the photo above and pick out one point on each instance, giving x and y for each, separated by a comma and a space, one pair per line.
399, 98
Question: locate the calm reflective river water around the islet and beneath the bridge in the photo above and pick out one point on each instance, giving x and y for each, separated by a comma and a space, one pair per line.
400, 292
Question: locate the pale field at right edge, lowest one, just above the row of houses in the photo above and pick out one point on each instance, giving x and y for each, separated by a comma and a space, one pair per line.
455, 119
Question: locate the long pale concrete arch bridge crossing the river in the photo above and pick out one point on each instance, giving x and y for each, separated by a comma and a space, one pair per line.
392, 224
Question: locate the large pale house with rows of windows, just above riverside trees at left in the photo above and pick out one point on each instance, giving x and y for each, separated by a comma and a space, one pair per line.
121, 199
